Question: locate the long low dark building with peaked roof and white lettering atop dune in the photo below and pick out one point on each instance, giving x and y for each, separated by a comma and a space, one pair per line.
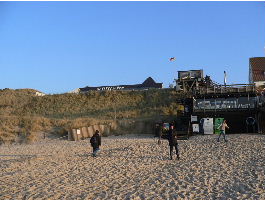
147, 84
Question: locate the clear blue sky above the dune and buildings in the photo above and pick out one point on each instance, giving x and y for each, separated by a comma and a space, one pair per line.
56, 47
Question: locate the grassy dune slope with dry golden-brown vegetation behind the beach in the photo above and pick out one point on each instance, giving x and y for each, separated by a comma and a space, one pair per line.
22, 113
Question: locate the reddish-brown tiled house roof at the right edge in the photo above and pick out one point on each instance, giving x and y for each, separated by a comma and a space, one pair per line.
257, 65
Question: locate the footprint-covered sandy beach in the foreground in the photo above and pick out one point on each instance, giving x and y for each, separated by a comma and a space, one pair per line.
135, 167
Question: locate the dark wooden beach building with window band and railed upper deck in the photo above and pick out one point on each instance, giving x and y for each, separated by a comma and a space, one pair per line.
242, 105
